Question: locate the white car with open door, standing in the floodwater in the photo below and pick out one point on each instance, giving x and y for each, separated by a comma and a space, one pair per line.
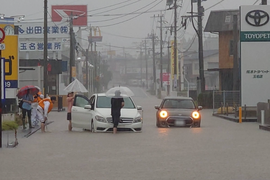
94, 114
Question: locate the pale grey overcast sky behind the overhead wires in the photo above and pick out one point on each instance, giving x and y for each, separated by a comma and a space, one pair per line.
122, 30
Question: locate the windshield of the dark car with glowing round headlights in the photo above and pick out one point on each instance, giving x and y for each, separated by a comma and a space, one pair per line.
178, 104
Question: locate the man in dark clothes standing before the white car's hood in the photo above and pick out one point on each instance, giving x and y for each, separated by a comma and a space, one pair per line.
117, 102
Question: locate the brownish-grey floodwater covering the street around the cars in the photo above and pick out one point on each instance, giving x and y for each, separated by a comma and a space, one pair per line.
220, 149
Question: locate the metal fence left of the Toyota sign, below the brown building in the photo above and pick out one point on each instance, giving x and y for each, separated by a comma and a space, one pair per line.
225, 102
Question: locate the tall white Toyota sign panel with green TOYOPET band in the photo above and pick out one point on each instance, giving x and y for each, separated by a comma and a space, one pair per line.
255, 54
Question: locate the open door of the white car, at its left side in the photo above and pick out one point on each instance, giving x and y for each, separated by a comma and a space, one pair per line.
81, 117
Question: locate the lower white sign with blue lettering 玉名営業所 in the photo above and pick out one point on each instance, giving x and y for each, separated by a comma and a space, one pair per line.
39, 46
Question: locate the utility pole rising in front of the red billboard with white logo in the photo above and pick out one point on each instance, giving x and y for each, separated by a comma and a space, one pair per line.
72, 49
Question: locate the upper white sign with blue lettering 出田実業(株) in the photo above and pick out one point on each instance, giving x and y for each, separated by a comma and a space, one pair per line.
36, 30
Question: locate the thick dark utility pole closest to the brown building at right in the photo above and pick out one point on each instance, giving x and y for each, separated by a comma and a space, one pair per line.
200, 38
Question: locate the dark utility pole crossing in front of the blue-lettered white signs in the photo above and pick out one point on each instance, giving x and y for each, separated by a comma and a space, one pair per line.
45, 55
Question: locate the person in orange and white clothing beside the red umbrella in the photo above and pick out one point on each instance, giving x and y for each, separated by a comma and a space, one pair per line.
43, 109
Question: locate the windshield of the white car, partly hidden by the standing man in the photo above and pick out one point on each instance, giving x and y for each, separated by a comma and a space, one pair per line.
105, 102
